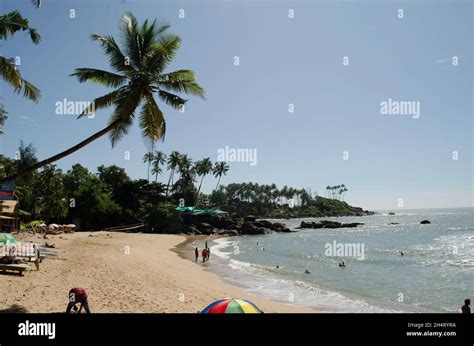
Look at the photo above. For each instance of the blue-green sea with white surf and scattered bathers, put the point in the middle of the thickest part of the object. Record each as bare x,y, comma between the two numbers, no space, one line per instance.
435,273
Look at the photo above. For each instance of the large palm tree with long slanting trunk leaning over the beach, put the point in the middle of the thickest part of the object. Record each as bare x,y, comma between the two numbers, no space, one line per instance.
139,65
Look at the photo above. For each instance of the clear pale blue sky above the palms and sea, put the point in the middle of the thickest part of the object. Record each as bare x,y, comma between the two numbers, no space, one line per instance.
336,133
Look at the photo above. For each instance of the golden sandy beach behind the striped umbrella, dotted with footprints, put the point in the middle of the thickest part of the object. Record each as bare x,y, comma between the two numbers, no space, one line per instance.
122,272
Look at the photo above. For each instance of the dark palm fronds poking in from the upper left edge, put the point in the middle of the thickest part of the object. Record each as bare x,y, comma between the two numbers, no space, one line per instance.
11,23
